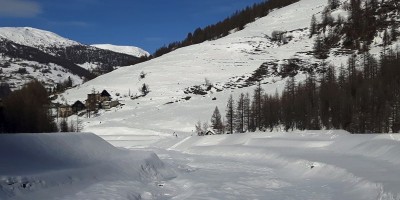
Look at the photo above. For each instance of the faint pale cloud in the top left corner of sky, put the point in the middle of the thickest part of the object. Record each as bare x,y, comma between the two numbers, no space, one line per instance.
19,8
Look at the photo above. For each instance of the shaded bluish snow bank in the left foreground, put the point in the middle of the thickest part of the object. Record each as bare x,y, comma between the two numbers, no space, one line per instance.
34,162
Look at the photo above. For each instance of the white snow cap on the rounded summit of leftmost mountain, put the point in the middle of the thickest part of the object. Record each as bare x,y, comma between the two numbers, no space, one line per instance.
35,37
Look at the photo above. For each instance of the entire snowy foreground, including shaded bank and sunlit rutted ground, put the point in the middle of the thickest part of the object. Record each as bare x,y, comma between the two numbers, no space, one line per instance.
297,165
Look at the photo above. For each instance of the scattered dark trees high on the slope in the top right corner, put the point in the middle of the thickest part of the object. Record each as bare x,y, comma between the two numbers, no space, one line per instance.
366,20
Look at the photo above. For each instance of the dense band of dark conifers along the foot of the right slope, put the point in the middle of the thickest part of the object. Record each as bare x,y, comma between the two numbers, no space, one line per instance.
362,97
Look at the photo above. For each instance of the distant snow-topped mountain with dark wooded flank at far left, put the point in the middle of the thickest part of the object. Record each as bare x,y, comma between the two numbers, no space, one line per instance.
29,53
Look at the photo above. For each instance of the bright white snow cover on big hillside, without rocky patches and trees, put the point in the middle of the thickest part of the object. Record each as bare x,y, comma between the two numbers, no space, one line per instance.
223,61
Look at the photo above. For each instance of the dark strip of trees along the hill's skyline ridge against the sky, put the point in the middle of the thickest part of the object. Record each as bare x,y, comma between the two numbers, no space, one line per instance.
221,29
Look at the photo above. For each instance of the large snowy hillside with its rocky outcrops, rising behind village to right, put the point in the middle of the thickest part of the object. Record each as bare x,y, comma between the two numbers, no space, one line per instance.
179,82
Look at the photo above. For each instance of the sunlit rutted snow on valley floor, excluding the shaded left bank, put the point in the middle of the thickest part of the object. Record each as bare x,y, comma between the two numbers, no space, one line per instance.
299,165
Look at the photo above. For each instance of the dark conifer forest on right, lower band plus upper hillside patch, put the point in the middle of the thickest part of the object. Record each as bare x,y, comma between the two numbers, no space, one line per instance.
362,97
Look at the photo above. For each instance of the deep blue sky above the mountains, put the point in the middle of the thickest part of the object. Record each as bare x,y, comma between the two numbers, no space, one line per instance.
148,24
